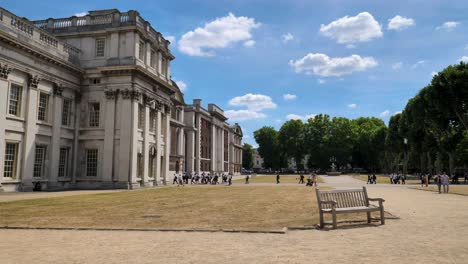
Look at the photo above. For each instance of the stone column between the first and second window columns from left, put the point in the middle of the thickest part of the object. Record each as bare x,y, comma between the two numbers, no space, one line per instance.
30,135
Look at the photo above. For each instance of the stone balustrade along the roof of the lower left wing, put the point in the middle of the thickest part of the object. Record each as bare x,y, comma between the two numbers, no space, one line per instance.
24,30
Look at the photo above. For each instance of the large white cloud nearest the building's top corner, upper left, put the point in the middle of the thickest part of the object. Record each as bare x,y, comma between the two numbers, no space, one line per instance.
217,34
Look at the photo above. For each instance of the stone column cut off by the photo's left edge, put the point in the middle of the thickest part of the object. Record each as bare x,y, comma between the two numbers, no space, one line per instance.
4,72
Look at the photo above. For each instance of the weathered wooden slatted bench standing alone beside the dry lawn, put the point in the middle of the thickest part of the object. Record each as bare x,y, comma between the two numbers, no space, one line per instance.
347,201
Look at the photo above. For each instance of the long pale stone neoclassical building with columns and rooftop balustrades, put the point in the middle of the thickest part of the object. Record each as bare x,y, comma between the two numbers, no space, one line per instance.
88,102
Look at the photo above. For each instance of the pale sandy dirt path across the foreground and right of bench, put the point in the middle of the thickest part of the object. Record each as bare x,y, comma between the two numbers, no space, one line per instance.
433,229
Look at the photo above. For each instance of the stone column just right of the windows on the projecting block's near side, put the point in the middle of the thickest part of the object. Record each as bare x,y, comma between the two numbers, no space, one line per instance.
109,136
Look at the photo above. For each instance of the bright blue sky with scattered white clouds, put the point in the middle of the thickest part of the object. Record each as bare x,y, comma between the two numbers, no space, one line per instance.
265,62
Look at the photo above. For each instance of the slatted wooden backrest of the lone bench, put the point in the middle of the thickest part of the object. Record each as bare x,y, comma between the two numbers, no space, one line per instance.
343,198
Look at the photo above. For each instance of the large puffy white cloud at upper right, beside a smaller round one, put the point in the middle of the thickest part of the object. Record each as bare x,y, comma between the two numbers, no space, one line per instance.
360,28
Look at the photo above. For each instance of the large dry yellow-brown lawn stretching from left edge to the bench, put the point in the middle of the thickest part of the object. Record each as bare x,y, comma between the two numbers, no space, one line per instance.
201,207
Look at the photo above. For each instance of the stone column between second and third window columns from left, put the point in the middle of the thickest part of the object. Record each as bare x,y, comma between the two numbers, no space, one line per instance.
56,135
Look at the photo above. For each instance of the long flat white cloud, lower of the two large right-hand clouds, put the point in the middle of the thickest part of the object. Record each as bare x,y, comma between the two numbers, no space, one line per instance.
322,65
